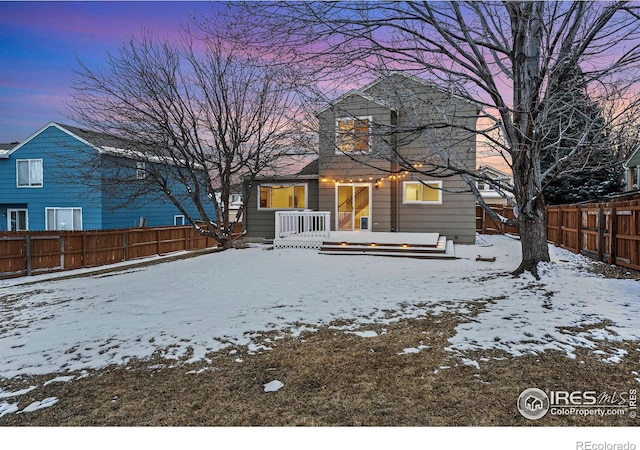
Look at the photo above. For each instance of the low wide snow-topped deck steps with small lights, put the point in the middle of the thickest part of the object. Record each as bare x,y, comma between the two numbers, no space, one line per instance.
425,246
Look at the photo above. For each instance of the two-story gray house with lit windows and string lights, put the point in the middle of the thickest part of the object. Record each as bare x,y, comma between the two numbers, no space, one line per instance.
373,145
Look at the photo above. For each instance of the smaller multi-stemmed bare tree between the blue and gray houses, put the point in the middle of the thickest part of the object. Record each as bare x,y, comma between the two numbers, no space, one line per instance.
202,115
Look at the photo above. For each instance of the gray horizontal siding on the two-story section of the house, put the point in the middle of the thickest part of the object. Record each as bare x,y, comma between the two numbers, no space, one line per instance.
406,103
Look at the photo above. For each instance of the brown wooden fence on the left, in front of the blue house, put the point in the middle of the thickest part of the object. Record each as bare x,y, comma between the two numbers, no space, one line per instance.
35,252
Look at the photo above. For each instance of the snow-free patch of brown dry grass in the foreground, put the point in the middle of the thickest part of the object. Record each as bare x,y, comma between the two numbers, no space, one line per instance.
398,374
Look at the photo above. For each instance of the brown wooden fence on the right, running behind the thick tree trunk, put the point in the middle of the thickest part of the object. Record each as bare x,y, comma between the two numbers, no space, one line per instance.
608,231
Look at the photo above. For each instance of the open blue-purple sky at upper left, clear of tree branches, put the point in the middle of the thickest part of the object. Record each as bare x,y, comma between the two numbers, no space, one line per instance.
41,41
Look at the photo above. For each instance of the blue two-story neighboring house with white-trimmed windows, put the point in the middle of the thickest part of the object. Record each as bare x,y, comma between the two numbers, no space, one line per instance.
43,186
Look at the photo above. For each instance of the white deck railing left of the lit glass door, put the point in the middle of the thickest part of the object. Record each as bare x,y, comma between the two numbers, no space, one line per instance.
303,228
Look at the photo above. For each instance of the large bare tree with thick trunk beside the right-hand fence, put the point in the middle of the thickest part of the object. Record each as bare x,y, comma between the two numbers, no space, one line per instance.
505,56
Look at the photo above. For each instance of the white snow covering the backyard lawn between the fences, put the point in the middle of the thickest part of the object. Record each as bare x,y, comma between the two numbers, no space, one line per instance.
188,308
